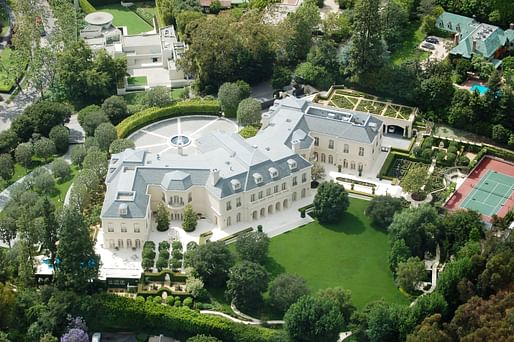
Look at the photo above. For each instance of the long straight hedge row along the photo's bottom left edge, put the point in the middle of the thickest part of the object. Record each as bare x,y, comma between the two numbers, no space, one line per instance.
115,313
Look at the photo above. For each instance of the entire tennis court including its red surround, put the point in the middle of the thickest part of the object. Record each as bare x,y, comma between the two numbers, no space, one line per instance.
489,189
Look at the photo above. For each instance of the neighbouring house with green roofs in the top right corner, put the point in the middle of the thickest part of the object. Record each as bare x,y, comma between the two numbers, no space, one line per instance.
474,38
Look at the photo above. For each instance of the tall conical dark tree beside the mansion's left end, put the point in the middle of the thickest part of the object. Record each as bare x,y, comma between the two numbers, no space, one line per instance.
78,263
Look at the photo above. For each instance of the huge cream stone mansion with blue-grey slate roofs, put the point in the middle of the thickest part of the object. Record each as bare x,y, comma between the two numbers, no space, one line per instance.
231,180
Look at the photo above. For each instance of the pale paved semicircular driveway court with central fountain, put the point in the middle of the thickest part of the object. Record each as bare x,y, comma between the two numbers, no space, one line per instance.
165,137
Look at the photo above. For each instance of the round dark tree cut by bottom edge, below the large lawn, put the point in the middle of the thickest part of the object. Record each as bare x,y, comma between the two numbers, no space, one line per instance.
313,318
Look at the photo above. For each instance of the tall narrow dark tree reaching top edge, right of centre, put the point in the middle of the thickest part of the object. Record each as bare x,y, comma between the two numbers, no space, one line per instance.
367,49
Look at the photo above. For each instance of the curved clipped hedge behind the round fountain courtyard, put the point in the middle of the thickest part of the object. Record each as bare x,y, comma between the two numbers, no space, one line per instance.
150,115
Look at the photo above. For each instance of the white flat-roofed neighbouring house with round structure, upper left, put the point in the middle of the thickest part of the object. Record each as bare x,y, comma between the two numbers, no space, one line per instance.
151,56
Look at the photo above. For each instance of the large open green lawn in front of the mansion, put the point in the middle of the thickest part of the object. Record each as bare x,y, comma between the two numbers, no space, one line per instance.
351,254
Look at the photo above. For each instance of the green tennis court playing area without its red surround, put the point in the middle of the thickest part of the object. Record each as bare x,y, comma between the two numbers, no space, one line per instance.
490,193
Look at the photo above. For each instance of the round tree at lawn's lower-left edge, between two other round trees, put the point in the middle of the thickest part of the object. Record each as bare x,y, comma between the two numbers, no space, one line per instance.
245,284
